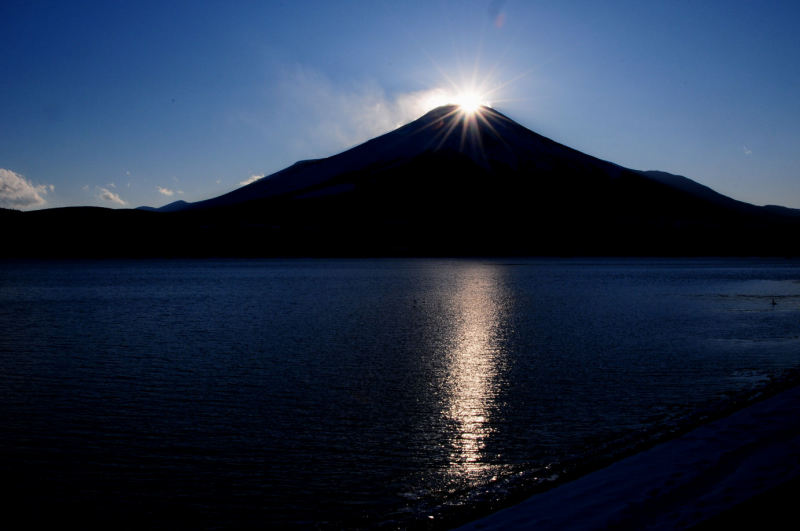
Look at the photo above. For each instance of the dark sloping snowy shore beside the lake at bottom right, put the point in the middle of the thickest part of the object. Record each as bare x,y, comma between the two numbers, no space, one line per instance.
721,470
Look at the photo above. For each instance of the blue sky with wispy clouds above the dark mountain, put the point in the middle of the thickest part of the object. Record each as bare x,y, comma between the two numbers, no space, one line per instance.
138,103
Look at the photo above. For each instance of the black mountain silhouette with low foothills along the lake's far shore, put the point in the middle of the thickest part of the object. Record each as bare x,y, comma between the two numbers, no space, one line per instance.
450,183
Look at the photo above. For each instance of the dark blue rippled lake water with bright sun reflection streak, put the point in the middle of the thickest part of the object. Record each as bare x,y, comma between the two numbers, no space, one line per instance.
358,393
